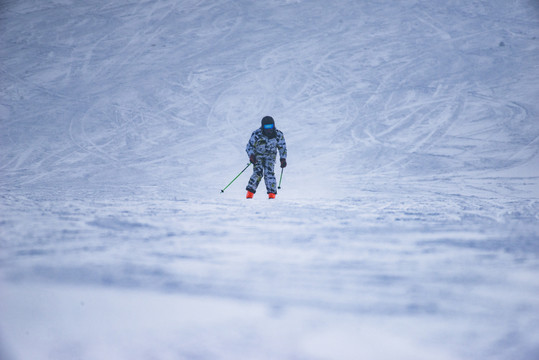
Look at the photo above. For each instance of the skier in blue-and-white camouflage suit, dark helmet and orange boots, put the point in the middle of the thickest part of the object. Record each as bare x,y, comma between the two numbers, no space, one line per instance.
262,151
